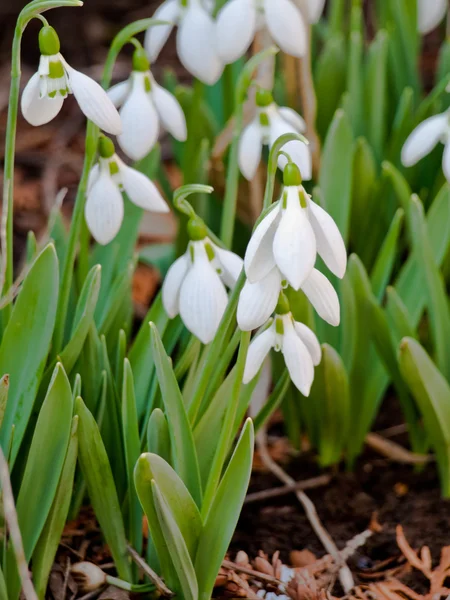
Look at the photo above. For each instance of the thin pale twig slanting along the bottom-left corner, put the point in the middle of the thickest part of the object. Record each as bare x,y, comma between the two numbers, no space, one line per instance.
10,513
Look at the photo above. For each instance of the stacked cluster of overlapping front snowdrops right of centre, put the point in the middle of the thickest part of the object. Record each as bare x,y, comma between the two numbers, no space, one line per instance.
282,252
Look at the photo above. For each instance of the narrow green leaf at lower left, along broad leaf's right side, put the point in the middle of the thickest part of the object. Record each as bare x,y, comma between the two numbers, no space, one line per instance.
47,546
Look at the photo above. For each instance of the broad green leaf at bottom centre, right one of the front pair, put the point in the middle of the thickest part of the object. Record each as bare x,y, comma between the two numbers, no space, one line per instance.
224,513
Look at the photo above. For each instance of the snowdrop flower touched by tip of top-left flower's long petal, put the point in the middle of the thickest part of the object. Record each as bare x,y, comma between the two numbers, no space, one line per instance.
144,105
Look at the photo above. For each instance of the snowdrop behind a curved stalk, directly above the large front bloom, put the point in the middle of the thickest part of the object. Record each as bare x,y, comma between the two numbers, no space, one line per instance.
270,123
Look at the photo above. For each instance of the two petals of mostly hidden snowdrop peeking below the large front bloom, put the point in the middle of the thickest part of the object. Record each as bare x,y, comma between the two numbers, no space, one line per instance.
257,301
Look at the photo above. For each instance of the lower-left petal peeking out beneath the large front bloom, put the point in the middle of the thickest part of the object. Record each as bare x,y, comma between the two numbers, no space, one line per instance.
257,301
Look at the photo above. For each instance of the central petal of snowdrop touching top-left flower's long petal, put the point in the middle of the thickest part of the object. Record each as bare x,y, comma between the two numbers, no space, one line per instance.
140,122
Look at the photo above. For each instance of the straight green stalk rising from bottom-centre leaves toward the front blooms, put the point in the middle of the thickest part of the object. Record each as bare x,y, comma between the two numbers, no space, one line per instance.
226,432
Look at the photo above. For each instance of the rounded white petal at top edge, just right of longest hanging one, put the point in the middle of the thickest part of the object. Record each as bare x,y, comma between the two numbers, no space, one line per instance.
235,29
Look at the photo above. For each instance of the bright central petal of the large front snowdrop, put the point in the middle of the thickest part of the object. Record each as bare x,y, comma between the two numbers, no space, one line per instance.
294,244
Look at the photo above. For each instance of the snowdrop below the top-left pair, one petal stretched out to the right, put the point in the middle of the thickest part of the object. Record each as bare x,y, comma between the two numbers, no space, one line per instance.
109,178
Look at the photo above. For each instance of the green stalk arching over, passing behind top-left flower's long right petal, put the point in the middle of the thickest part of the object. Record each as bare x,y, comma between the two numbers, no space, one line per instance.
92,133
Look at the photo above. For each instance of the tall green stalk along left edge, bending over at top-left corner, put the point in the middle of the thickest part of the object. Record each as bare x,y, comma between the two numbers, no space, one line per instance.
29,12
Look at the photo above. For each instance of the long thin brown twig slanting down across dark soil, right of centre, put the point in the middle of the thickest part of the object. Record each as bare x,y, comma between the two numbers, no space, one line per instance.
345,575
